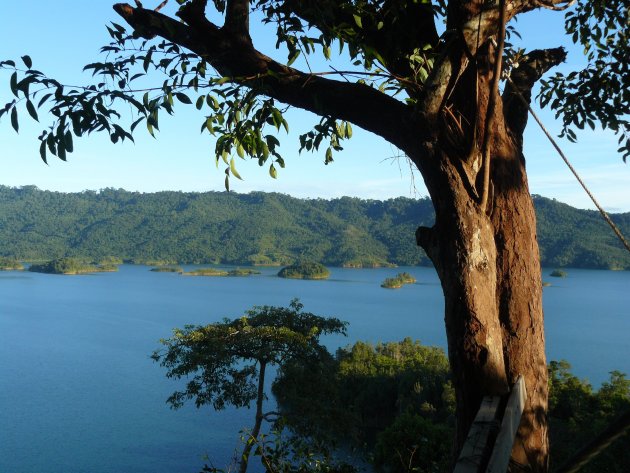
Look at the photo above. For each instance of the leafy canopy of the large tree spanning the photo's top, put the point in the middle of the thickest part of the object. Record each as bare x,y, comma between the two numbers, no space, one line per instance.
239,97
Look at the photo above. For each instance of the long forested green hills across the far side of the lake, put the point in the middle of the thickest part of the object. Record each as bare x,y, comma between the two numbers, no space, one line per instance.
264,228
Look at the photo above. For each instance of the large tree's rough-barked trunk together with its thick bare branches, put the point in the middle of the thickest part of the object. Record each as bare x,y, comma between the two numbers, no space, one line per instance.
486,256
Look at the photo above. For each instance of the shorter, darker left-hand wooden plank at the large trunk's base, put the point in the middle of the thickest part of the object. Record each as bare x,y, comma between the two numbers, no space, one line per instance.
471,456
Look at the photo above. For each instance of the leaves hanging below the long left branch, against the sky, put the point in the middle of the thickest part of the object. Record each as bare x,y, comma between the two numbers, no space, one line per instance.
235,115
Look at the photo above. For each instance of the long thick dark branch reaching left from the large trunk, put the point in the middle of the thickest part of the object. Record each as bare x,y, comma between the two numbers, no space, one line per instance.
243,64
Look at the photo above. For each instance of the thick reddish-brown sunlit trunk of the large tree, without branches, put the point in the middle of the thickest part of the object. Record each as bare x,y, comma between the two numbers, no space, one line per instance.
489,268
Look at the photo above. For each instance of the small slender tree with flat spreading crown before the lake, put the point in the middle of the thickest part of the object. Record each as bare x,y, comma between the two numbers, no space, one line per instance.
226,361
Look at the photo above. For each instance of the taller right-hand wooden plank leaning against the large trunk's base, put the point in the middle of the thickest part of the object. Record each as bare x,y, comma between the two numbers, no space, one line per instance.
500,458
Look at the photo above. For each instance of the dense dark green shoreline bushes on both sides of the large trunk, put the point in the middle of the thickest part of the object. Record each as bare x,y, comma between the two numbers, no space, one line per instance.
396,401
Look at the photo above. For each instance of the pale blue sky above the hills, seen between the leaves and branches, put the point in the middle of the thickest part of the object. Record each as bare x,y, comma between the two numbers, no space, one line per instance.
64,35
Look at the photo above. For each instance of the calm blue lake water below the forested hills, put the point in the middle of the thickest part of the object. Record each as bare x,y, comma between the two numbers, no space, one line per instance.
78,392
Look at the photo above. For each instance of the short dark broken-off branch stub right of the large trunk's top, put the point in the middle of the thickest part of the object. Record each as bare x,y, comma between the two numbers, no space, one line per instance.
525,73
